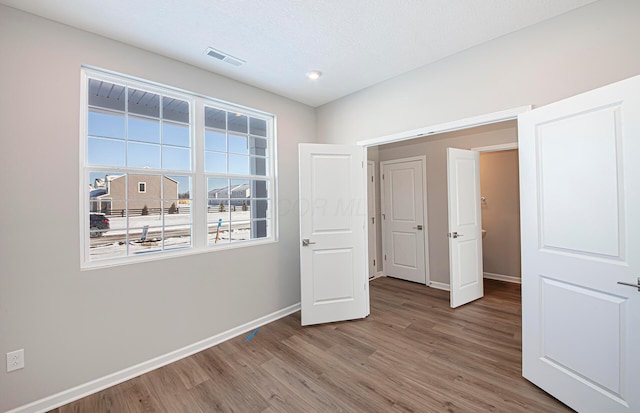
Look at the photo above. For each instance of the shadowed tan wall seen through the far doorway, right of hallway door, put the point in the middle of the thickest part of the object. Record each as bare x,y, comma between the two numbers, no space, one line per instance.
500,212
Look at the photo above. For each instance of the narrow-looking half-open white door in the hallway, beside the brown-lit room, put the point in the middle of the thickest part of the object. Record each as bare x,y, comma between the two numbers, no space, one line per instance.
465,226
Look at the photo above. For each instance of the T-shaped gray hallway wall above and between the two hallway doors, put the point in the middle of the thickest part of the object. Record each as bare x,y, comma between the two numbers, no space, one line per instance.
434,147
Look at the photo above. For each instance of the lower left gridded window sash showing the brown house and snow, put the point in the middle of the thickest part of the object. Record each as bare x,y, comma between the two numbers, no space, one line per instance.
126,221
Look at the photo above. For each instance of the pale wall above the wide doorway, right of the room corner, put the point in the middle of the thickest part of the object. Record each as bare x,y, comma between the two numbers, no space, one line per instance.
581,50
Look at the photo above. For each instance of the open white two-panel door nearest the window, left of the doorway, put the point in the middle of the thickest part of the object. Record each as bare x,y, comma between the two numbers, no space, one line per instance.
333,211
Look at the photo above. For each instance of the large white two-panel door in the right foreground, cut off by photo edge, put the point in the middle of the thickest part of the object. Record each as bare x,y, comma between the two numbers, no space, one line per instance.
580,212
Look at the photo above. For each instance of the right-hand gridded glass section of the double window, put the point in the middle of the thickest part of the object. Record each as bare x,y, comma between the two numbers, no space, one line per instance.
236,165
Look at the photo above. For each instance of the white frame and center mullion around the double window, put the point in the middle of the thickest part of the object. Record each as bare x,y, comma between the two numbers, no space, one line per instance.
199,196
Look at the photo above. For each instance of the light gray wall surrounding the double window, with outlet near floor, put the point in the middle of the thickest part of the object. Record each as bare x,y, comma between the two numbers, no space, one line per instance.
78,326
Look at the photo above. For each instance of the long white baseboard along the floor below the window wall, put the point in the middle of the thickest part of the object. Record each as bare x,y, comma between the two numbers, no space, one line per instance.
83,390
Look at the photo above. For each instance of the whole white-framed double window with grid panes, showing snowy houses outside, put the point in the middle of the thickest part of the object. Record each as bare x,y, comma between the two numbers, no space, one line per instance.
146,147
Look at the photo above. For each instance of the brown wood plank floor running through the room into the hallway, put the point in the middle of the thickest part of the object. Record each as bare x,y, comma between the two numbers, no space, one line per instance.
412,354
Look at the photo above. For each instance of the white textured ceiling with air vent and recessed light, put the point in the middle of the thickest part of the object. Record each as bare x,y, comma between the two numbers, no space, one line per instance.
355,43
